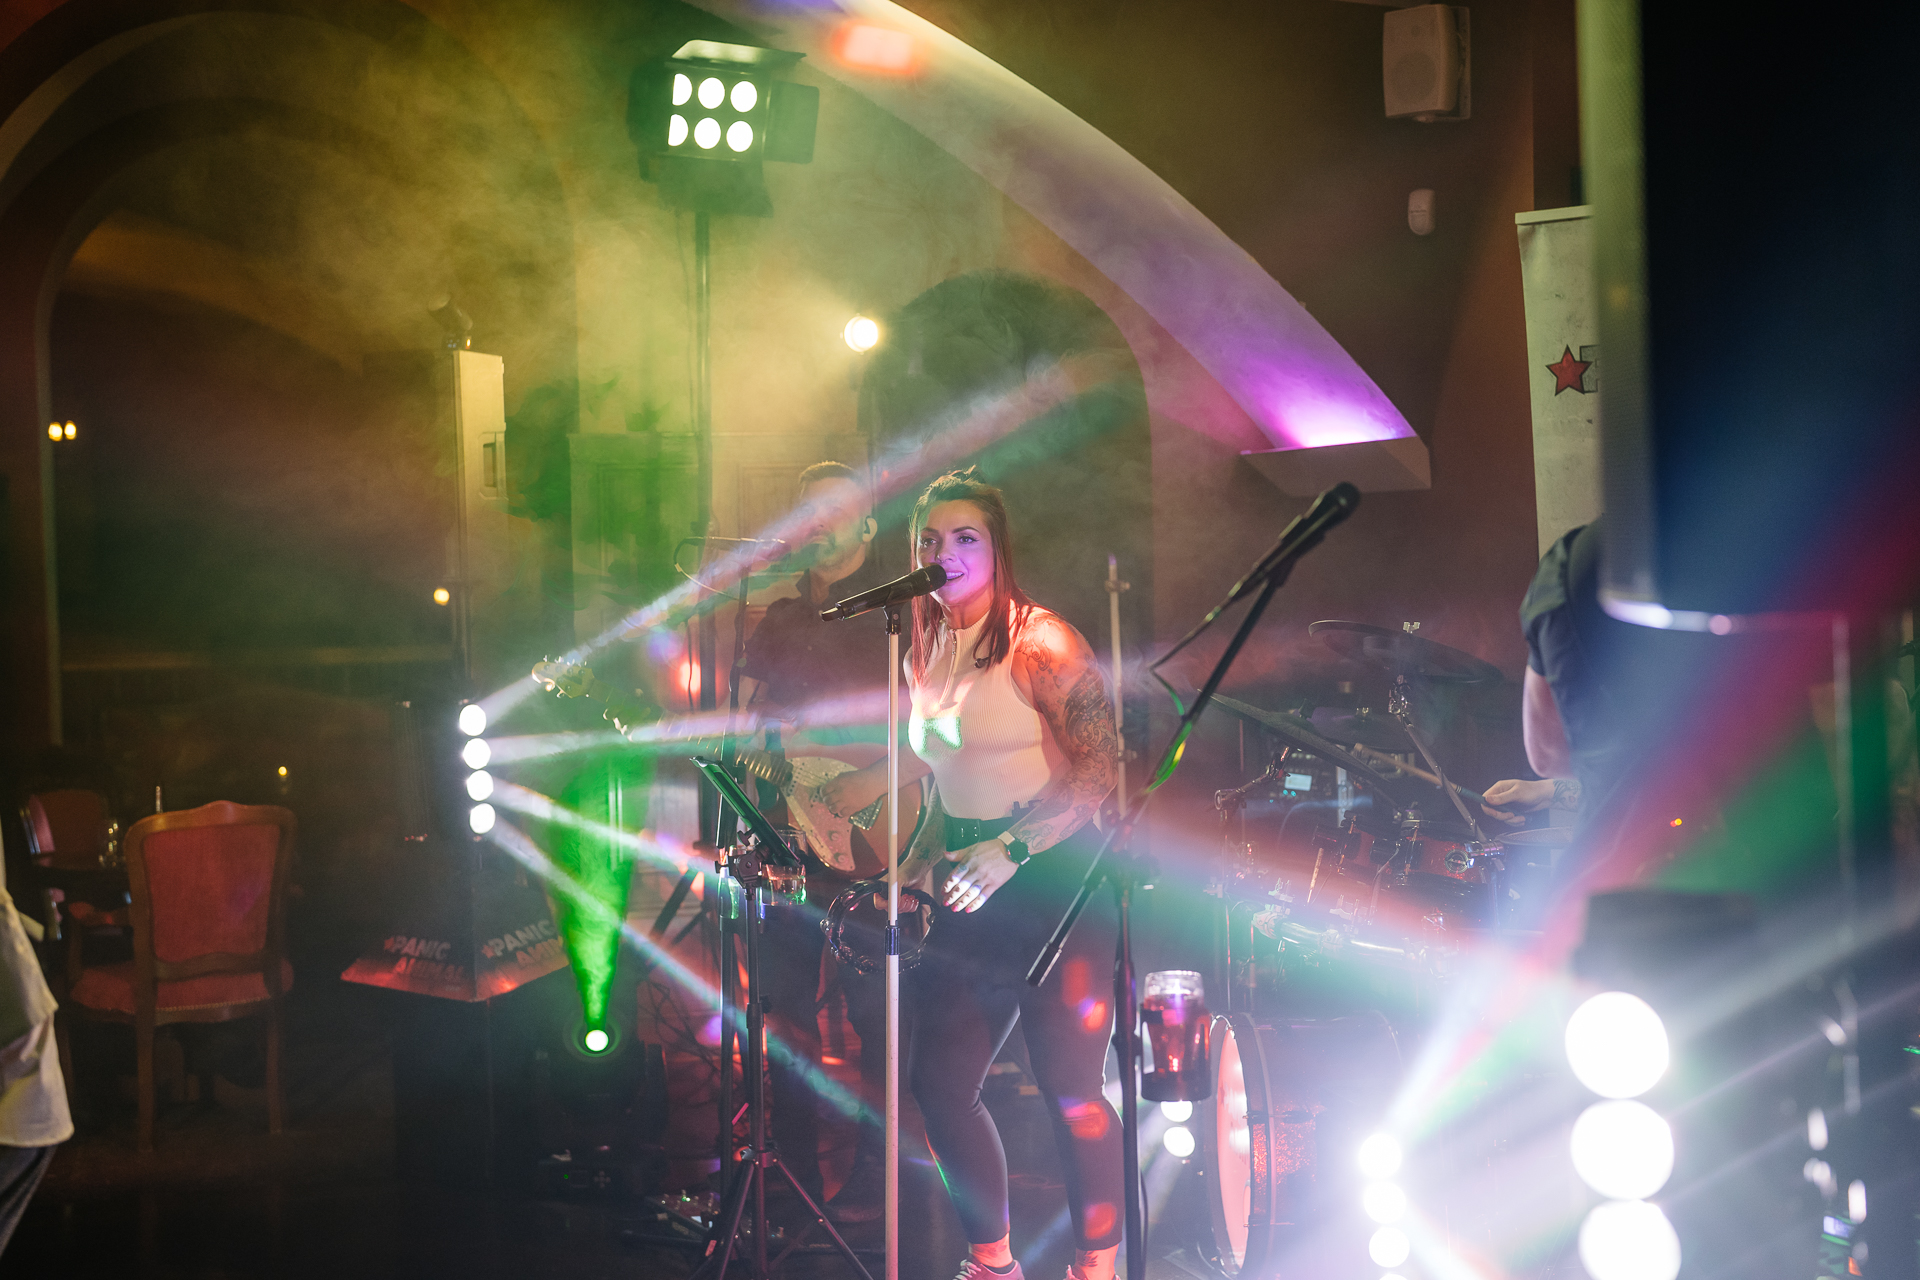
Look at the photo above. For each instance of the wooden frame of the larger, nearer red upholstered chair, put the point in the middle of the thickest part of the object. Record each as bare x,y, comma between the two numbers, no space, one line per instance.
151,970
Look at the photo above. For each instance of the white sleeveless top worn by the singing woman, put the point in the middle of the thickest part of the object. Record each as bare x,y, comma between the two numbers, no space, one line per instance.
988,747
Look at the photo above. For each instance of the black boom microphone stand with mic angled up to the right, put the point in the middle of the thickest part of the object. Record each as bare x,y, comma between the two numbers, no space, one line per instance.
1124,870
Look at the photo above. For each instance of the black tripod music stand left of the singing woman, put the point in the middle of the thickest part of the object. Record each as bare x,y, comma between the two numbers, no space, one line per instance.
750,866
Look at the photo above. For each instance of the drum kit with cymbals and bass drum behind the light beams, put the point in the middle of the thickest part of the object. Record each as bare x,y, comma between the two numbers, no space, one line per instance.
1333,943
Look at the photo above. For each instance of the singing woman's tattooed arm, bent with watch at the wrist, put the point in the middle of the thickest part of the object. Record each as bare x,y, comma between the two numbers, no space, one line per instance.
1057,671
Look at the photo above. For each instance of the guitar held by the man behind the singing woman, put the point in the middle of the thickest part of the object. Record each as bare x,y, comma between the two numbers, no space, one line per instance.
802,778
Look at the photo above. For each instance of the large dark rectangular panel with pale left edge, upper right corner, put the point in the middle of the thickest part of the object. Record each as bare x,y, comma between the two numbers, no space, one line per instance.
1754,187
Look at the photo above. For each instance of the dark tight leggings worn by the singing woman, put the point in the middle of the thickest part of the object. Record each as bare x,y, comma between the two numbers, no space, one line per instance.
969,993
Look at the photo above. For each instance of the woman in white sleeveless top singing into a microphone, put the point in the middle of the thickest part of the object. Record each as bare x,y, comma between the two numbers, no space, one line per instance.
1013,717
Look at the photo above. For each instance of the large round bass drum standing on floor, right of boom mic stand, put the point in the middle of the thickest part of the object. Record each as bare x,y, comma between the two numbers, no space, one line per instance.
1293,1101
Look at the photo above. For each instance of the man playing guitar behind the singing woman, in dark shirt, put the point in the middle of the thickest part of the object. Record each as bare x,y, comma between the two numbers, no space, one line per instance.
828,682
